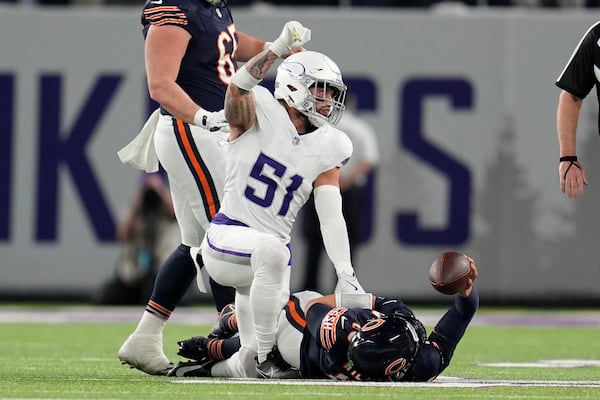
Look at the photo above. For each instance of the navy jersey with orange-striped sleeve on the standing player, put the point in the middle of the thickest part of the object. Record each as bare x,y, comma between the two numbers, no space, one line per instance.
209,63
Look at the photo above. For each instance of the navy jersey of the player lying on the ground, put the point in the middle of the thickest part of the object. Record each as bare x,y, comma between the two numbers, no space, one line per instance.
329,331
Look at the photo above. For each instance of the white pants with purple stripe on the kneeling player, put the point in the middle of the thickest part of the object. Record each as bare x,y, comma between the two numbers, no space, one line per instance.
257,265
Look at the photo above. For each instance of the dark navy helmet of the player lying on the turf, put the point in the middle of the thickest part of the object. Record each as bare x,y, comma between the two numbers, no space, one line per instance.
385,348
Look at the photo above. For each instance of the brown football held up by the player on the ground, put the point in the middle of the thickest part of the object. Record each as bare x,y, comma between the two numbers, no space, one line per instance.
449,272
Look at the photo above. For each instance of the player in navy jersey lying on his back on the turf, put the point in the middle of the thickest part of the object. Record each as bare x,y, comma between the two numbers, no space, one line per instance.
345,336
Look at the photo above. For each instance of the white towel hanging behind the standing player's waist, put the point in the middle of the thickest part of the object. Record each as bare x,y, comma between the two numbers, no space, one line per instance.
140,152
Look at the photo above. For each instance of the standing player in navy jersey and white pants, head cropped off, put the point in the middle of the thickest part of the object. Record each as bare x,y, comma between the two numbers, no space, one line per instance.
191,50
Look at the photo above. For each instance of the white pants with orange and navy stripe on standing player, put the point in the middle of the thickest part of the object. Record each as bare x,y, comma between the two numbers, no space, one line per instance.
194,159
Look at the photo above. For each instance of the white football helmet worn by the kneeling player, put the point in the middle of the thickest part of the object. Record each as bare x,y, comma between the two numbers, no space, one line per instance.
305,69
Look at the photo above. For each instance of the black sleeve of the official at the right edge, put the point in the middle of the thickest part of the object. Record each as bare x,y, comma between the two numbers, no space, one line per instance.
581,72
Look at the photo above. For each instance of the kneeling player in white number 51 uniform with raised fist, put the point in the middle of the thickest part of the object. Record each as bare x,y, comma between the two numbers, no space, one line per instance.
280,149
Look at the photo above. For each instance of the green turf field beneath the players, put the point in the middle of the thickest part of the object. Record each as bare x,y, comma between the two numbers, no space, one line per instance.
76,360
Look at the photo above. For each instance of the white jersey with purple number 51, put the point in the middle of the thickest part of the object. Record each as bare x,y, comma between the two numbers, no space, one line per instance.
271,169
